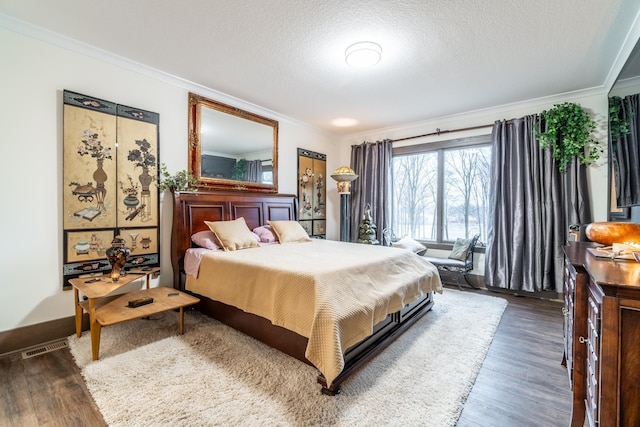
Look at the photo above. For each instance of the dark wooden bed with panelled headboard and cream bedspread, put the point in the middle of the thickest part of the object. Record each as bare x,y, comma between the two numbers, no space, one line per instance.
268,302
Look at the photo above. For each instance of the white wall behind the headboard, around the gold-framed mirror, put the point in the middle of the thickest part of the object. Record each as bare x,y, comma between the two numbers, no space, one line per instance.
32,77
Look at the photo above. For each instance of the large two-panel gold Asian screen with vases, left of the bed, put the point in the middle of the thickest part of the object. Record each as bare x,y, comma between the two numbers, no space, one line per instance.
109,184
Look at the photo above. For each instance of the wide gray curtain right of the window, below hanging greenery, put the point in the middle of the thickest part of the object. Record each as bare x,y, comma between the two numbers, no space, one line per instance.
531,208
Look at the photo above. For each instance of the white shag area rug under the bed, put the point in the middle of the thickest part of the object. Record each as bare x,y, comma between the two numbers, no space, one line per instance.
212,375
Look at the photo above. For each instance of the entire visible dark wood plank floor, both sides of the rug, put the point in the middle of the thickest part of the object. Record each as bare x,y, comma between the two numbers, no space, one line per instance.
520,384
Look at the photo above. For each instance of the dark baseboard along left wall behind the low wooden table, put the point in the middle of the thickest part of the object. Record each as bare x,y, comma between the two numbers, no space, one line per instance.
19,339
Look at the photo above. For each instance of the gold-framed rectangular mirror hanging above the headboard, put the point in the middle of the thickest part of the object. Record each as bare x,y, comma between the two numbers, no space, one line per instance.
230,148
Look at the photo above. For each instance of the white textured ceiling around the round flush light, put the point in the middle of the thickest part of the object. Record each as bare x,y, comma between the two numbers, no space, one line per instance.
440,57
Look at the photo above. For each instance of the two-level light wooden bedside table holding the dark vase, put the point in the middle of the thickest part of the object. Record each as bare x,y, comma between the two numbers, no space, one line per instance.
105,309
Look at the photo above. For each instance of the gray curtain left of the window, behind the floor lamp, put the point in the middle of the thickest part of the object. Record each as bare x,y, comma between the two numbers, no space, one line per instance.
372,162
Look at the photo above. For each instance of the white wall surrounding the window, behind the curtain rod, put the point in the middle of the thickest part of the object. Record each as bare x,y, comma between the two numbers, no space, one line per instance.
594,101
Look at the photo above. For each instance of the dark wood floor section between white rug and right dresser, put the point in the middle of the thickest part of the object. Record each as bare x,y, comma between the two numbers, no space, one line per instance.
522,381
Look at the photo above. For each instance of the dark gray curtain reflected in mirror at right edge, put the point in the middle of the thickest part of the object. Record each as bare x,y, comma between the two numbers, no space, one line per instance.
625,155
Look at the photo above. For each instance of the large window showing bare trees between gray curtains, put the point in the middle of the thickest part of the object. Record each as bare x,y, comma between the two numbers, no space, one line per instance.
441,190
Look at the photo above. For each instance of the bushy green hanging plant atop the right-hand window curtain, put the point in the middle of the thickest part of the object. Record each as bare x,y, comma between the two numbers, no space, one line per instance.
568,129
